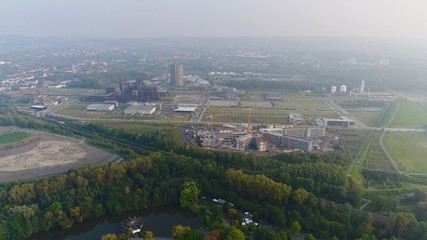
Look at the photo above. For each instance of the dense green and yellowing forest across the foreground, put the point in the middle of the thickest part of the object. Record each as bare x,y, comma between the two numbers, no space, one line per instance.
295,192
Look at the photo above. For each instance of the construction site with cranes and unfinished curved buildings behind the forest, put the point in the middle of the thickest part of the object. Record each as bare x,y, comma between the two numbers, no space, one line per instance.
260,138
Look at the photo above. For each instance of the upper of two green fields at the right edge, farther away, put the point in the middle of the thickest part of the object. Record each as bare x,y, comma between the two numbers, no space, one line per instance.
411,115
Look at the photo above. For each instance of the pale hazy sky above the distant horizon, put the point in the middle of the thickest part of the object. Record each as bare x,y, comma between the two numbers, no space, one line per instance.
205,18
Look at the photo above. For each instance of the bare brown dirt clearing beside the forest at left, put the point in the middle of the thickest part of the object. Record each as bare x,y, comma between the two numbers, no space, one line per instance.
48,155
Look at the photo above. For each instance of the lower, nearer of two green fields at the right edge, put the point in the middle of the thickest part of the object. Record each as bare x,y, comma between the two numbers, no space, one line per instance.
409,149
